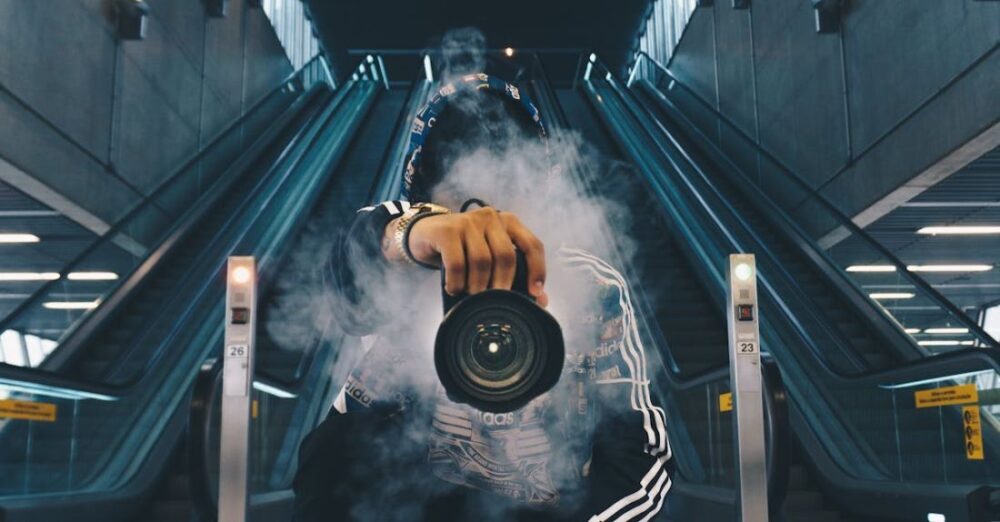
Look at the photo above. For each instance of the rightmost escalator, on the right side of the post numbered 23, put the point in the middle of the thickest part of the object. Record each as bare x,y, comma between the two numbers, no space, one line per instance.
862,449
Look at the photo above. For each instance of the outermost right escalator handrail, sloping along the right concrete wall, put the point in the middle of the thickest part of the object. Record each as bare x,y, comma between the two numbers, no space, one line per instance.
842,219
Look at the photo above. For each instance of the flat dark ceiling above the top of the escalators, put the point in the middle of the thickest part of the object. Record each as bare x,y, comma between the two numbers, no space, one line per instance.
578,25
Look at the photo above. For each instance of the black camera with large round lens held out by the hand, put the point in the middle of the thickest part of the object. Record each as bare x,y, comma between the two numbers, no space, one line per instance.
497,350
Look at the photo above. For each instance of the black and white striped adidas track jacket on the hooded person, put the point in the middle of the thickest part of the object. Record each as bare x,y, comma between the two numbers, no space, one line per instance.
600,418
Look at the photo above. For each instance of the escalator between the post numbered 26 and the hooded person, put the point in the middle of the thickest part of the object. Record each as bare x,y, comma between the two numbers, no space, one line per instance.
298,344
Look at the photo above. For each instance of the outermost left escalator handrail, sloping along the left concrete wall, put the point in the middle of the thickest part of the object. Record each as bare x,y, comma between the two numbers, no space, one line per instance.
125,220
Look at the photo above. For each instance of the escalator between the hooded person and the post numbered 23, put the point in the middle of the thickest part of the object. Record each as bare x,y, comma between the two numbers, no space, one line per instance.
681,315
